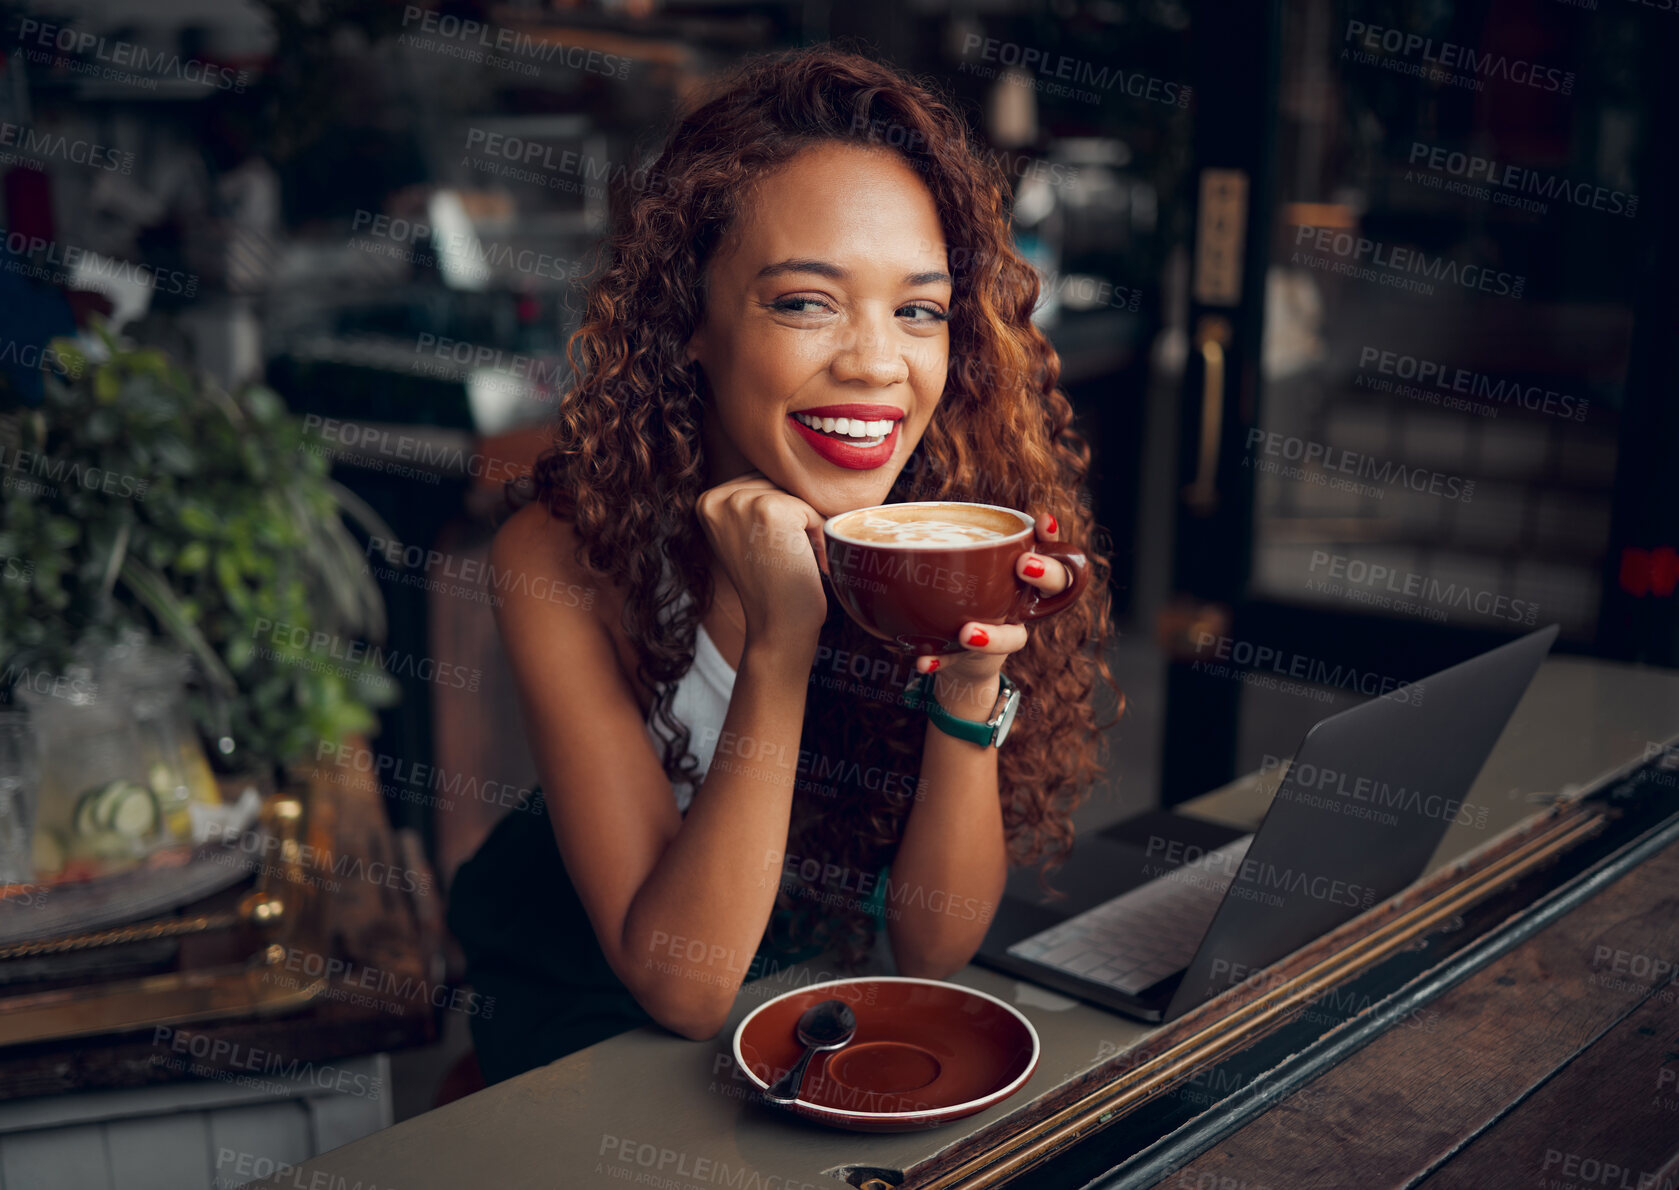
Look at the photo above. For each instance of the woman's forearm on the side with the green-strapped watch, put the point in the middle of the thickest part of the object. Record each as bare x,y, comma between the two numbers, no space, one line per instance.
951,865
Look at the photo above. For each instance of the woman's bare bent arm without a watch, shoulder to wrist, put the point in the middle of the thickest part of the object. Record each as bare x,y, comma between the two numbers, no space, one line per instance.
677,906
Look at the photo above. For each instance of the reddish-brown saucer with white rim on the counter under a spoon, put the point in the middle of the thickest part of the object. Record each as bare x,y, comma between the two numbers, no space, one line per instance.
926,1053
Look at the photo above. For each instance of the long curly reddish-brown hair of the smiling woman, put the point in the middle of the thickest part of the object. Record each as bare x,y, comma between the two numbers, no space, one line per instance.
627,467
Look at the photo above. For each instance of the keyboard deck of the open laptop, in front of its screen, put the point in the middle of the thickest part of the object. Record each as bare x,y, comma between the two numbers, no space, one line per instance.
1144,936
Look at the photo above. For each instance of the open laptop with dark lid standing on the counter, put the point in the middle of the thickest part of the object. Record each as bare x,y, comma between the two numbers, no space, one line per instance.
1356,818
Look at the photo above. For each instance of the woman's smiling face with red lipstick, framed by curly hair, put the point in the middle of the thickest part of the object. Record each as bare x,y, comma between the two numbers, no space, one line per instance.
829,300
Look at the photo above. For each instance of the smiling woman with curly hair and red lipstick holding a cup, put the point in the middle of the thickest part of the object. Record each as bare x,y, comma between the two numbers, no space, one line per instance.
782,333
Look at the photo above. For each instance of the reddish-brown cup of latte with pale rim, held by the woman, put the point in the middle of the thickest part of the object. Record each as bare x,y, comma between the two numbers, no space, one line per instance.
914,587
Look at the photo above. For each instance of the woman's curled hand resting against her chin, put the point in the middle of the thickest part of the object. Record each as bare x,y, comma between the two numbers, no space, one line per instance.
770,546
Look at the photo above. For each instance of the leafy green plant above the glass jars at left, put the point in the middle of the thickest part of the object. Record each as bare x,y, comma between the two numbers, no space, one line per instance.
140,496
